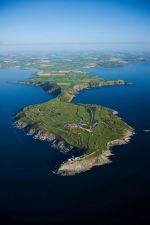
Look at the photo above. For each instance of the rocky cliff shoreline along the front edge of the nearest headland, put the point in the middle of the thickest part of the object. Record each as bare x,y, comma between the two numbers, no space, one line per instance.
81,163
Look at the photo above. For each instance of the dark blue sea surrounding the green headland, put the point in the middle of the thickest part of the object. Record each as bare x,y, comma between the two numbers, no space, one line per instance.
117,193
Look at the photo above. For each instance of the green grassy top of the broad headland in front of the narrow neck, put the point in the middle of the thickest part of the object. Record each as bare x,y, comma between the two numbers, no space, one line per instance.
53,116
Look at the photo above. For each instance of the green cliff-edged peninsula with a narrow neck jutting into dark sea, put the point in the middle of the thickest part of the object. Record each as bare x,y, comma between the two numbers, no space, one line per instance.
68,126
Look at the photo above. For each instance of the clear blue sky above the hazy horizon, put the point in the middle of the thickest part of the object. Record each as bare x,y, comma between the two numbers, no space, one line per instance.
74,21
